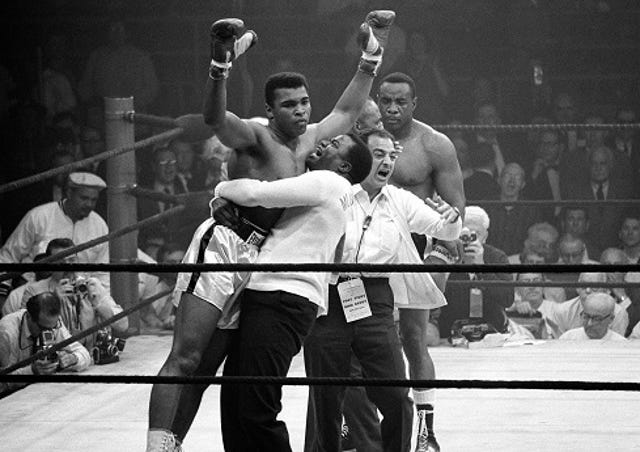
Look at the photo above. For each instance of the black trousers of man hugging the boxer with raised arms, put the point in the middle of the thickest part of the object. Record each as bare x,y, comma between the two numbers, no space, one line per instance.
273,326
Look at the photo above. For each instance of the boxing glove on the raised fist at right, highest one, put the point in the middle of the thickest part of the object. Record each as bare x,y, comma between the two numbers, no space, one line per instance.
372,38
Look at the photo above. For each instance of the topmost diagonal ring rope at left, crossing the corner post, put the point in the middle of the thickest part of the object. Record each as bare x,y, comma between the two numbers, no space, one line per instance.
164,136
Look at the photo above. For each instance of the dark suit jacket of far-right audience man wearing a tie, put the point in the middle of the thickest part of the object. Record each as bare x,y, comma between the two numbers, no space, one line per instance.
604,221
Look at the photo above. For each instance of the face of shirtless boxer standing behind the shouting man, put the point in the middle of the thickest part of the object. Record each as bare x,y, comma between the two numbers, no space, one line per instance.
396,103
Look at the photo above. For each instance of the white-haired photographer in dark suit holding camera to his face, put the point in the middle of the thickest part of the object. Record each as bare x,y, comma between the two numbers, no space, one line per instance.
486,303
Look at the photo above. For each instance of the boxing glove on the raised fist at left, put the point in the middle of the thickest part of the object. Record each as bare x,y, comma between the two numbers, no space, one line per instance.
229,40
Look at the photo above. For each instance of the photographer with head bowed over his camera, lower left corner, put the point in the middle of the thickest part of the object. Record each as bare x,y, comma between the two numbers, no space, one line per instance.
27,331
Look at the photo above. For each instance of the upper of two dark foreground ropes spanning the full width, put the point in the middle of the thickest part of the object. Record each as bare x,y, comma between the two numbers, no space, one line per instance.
326,267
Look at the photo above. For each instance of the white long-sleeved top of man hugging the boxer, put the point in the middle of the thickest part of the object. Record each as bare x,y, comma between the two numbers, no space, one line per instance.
308,232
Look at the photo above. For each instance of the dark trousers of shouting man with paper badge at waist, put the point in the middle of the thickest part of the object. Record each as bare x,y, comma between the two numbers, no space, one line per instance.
375,343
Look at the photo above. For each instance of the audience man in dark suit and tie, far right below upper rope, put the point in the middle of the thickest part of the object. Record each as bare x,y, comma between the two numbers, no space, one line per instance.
604,221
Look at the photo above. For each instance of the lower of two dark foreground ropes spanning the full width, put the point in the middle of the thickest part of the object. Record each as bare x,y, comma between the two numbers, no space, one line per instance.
561,385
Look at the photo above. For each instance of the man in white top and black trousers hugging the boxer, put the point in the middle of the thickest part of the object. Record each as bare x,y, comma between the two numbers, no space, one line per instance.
279,308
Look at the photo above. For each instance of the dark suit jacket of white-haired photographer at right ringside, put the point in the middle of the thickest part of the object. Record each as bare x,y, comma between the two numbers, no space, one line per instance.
495,299
